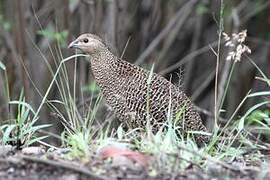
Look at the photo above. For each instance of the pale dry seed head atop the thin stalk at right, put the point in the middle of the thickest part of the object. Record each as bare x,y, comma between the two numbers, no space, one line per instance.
236,44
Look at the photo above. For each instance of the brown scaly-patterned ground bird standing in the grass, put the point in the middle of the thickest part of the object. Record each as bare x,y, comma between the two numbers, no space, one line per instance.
138,96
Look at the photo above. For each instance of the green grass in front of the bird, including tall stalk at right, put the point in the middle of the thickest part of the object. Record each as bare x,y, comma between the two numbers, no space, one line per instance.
83,135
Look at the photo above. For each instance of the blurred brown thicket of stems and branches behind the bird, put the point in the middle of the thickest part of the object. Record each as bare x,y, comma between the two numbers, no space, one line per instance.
175,35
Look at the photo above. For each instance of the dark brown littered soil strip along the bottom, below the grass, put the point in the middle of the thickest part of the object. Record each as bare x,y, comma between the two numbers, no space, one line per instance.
19,165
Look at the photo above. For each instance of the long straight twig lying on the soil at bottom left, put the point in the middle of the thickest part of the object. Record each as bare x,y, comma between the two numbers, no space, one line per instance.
72,167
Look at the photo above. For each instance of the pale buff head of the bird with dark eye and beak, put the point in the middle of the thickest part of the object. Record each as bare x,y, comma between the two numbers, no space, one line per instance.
88,43
